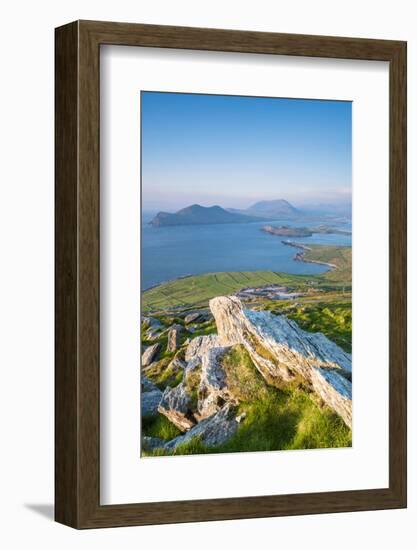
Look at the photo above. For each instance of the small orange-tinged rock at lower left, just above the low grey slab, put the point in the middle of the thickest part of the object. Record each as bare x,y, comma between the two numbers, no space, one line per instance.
176,404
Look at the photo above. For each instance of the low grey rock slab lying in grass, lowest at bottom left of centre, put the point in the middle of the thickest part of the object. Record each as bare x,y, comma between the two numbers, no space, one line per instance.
212,431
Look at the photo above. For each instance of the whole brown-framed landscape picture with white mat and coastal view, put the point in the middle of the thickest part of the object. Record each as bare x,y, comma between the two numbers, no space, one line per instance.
230,274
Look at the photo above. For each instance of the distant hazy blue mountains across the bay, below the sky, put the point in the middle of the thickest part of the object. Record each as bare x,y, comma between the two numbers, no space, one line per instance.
202,215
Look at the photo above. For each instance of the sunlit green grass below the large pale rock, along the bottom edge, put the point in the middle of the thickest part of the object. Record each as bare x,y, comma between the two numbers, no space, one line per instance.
285,419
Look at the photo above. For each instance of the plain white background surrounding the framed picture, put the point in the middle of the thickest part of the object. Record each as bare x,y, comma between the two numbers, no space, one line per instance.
26,271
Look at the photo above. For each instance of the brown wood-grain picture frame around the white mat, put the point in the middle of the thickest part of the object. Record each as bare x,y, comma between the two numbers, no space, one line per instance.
77,382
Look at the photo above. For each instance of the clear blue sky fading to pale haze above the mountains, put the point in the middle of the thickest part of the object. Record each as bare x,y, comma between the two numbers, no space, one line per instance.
234,151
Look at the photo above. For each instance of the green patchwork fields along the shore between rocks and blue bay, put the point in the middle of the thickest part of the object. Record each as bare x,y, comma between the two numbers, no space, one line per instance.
197,290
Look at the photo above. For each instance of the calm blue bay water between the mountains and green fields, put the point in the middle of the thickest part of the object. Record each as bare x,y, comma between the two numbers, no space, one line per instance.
171,252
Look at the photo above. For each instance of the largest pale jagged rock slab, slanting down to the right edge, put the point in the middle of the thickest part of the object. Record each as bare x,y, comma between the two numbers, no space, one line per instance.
282,352
